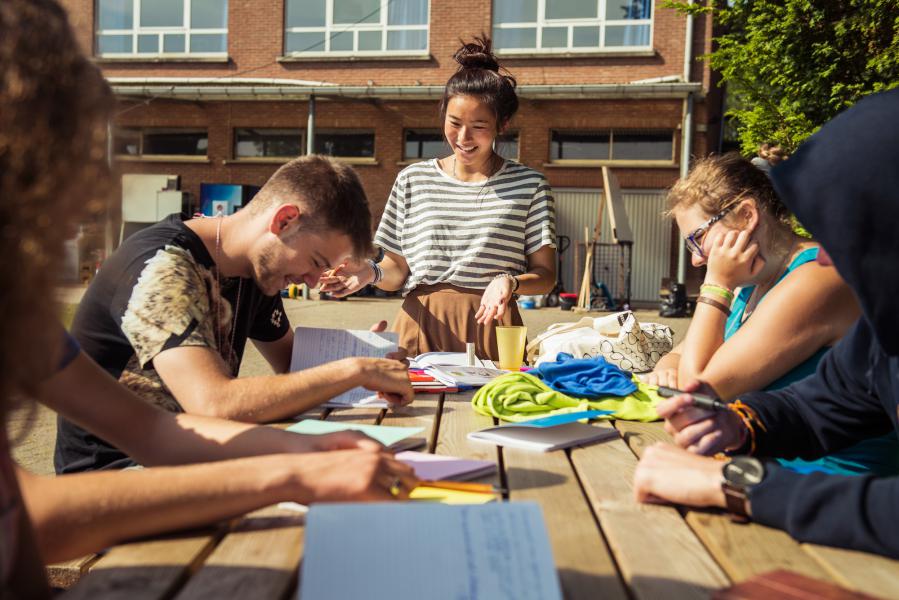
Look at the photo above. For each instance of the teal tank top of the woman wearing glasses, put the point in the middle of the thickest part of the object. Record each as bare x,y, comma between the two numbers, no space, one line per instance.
876,455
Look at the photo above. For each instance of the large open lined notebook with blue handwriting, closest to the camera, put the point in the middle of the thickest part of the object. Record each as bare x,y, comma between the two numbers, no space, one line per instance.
414,550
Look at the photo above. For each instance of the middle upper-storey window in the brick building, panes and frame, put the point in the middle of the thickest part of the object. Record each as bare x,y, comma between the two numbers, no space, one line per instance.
356,27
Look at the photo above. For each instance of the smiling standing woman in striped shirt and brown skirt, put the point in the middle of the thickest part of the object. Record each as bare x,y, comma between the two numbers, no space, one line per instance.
465,233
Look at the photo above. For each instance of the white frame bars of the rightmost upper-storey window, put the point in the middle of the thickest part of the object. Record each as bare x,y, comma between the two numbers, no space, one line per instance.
600,21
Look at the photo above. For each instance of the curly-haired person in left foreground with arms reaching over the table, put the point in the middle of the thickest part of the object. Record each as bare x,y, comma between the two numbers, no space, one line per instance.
54,111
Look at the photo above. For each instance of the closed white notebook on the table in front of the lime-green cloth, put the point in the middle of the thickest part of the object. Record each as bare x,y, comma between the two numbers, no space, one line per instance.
543,439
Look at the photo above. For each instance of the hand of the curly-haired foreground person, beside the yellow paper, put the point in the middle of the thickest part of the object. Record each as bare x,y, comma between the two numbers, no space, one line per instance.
352,476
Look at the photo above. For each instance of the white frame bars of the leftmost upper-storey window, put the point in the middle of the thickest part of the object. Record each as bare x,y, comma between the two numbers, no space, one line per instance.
135,31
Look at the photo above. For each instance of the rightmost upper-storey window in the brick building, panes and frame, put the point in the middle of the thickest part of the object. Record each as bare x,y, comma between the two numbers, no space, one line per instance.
572,25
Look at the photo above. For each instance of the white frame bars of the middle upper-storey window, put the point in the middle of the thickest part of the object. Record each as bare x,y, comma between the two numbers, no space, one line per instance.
331,29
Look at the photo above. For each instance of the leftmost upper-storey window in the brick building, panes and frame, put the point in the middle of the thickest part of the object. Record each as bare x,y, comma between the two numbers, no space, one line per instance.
153,28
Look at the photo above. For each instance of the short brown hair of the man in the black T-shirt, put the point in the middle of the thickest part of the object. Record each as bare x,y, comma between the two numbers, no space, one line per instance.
330,190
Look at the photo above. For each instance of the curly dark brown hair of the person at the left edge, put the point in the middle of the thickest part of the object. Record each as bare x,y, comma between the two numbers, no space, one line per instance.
54,110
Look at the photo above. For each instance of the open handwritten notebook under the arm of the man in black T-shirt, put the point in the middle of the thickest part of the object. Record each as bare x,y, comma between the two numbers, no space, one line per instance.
314,346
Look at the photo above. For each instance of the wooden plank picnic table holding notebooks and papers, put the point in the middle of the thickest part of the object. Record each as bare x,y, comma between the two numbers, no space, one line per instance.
605,544
